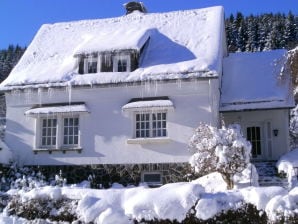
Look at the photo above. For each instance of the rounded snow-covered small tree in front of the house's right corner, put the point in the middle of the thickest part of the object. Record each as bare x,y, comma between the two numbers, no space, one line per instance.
223,150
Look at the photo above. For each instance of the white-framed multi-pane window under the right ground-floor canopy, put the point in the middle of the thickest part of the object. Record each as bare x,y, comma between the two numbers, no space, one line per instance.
151,125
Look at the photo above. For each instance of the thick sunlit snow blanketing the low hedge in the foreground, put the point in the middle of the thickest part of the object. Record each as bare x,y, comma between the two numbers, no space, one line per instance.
207,195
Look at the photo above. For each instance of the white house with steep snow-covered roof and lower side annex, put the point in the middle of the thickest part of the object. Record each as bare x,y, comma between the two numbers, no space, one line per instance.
130,91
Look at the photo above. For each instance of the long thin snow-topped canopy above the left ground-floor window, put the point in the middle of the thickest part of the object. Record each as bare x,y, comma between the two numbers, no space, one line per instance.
52,110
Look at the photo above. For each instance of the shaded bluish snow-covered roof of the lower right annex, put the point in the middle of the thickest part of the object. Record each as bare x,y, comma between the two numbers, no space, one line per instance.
258,80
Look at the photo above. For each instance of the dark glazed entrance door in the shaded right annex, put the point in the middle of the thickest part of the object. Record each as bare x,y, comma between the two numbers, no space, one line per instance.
254,136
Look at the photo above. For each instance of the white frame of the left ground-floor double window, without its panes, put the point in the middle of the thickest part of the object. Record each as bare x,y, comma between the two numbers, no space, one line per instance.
59,133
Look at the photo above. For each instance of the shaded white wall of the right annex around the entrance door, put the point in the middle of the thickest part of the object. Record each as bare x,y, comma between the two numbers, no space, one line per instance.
278,119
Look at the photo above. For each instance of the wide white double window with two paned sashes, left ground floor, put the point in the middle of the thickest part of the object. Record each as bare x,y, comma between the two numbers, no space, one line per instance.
59,132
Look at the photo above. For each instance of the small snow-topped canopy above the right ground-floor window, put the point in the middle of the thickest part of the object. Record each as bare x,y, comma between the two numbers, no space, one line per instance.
145,104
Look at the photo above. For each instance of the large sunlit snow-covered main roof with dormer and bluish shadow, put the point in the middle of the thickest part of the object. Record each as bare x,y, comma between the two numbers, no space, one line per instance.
183,44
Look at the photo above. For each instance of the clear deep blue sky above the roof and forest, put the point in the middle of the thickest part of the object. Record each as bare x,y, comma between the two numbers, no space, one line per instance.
21,19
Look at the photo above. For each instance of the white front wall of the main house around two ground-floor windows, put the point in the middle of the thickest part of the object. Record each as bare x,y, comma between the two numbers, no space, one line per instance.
105,130
